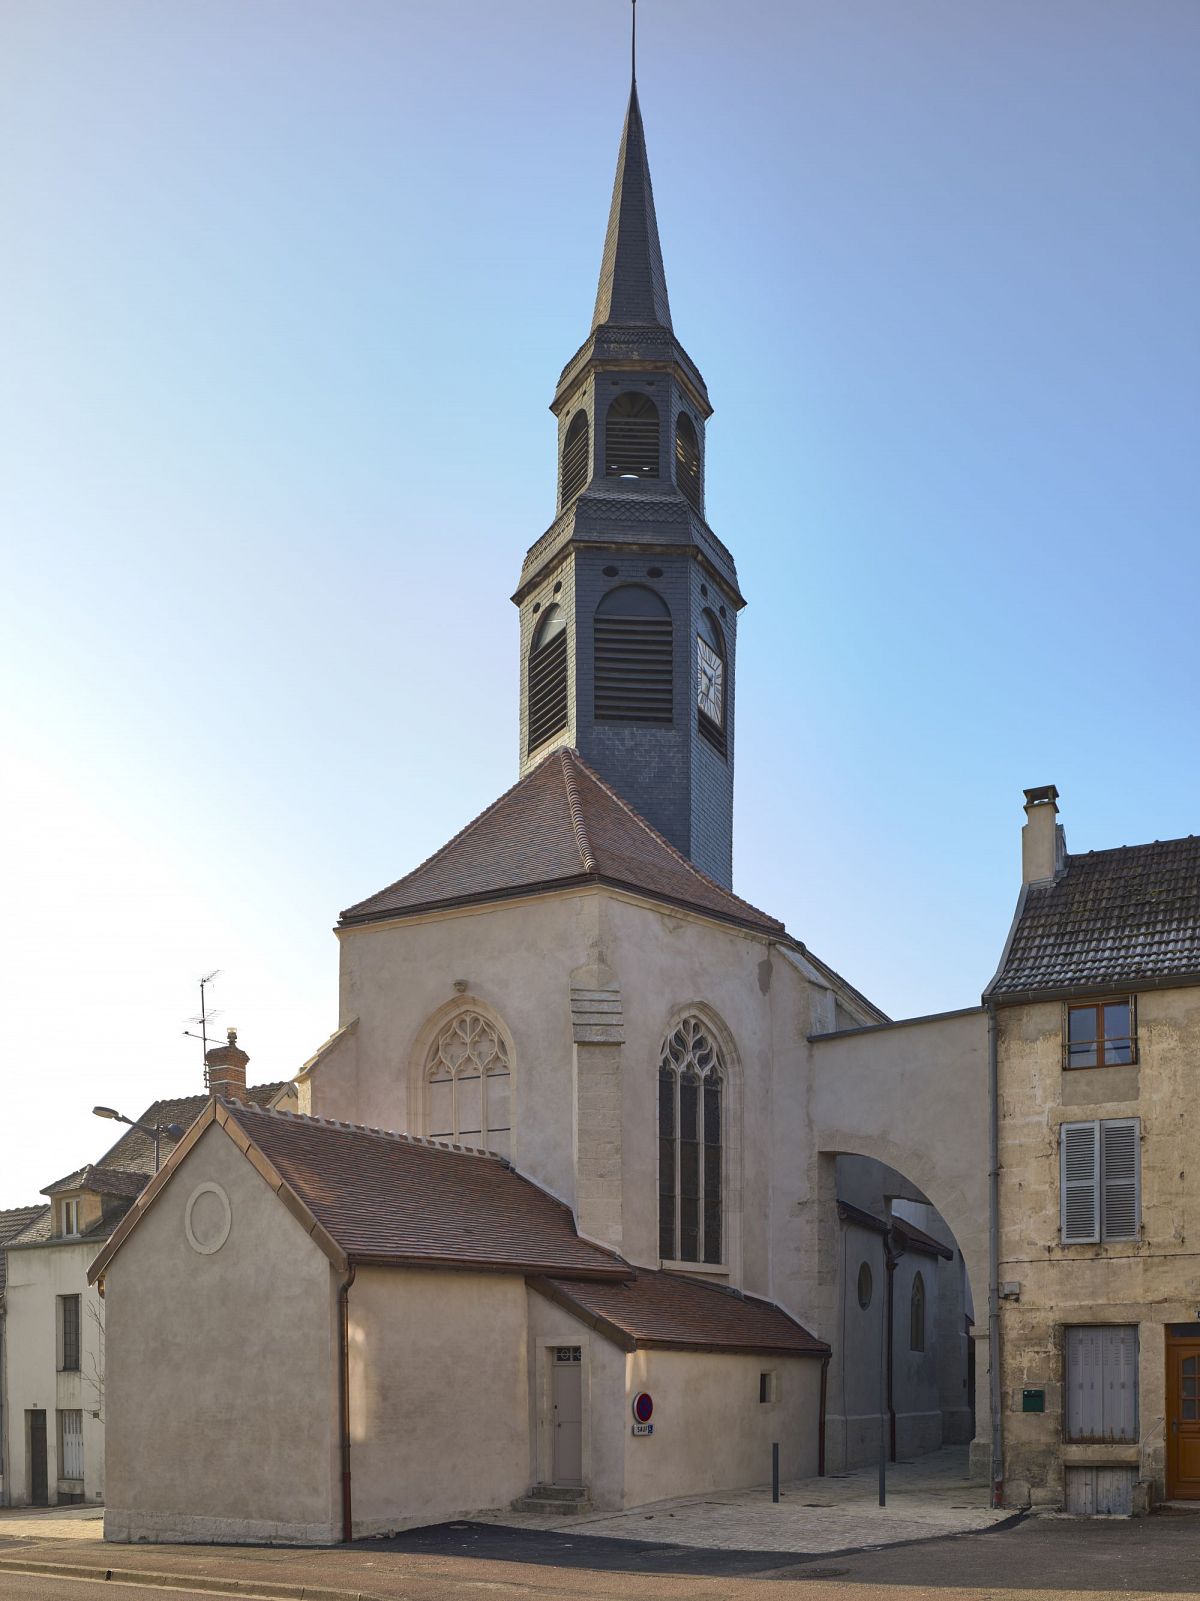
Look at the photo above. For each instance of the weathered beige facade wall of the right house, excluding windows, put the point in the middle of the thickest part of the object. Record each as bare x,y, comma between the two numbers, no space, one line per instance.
1150,1282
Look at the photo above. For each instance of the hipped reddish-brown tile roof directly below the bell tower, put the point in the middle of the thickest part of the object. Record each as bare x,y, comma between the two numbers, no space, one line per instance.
559,825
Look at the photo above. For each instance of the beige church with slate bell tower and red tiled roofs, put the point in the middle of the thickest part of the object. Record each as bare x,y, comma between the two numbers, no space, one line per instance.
553,1224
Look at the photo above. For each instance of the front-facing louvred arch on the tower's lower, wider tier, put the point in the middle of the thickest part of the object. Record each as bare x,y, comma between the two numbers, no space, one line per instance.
633,657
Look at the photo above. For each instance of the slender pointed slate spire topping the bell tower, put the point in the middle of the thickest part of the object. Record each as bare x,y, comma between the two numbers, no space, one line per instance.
633,284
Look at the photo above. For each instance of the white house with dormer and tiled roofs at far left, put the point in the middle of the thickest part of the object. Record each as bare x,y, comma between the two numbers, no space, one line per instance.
54,1341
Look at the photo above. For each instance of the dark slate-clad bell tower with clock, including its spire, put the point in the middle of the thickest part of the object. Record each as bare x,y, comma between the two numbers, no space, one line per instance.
630,601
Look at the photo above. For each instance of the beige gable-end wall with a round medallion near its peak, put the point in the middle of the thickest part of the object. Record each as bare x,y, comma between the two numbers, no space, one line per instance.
222,1376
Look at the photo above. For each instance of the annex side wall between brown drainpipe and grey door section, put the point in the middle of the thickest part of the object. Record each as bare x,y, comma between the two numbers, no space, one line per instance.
439,1395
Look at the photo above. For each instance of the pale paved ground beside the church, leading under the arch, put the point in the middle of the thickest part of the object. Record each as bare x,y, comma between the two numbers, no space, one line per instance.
929,1496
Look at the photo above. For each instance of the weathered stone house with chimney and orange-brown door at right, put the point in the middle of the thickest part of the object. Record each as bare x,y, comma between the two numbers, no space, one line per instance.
1098,1016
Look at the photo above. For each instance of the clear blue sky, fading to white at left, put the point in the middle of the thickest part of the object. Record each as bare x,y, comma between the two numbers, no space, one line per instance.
286,294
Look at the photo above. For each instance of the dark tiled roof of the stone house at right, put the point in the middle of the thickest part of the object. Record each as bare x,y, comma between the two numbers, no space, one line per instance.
1113,920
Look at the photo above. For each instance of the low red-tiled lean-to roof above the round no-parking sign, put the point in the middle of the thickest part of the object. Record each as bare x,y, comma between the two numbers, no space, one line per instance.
670,1310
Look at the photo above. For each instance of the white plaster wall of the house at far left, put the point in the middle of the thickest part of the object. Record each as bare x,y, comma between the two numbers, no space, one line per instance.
36,1278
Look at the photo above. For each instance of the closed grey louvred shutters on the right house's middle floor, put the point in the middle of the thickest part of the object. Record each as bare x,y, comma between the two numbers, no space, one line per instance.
1100,1181
